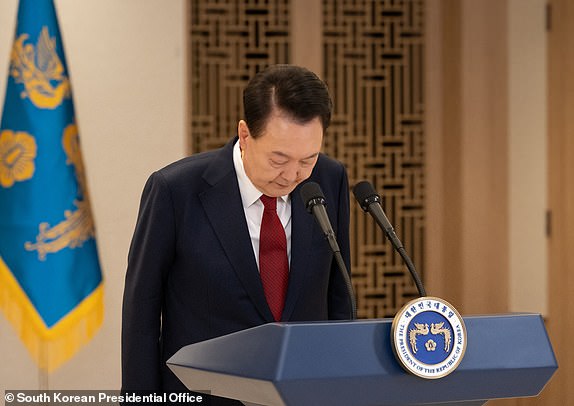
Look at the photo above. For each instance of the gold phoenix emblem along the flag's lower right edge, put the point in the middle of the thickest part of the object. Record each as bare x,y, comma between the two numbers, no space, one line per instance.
78,225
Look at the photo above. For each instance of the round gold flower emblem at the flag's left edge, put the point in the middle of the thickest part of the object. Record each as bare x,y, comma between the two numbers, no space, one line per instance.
17,154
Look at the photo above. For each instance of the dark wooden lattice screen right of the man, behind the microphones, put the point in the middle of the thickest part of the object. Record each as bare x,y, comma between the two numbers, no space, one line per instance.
373,64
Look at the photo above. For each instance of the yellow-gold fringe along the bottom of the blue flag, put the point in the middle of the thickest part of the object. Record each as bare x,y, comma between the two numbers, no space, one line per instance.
49,347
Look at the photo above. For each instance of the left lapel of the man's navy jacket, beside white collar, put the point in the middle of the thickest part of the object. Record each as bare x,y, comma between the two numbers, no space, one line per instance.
222,204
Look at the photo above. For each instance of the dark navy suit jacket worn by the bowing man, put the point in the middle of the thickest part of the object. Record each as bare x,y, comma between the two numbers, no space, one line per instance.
192,274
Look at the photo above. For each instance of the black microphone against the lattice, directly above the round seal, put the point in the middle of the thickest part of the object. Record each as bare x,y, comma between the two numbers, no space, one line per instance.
370,202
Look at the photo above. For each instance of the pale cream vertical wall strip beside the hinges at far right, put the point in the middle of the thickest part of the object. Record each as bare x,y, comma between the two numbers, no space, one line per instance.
527,160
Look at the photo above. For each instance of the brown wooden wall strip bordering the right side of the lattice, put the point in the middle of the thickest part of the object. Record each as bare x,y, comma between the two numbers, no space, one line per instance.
444,276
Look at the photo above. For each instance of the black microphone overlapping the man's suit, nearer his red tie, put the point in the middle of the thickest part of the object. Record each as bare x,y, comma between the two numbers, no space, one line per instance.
314,201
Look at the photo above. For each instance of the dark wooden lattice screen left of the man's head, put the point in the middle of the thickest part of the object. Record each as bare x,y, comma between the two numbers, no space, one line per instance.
230,42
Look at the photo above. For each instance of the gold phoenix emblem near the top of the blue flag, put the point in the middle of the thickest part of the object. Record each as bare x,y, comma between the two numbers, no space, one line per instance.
40,70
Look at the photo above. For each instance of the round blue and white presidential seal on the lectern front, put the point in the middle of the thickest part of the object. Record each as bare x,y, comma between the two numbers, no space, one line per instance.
429,337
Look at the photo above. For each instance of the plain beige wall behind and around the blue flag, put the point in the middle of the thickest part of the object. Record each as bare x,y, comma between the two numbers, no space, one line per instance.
127,65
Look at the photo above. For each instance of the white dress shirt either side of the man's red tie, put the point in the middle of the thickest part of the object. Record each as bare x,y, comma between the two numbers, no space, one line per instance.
253,207
